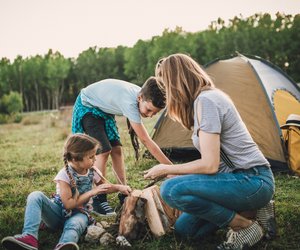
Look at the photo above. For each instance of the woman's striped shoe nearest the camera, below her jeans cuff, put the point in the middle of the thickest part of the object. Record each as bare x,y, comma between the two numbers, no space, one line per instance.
243,238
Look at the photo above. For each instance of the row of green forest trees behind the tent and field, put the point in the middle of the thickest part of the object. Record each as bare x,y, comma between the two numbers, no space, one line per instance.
46,82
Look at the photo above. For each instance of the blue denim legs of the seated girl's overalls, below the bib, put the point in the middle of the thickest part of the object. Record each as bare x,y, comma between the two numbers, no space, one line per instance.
40,207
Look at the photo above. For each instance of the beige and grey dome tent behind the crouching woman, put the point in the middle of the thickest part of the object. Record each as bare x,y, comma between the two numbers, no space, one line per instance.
264,96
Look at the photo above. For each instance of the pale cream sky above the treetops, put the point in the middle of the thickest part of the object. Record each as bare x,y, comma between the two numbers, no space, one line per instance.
31,27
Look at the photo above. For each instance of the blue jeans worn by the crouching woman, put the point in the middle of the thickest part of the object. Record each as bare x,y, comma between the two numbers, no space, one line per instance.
209,202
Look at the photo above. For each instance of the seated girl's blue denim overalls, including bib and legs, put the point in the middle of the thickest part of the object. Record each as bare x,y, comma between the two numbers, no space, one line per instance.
51,211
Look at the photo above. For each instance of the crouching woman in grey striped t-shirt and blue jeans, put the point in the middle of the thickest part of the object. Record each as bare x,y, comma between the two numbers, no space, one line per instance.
232,175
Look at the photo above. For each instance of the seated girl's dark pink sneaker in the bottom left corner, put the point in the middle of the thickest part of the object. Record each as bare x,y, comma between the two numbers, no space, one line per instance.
20,242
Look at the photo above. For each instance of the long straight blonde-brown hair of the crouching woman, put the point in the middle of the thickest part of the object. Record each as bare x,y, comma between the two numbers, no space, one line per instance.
183,79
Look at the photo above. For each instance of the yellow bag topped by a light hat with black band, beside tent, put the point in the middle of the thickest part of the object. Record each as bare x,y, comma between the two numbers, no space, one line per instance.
291,136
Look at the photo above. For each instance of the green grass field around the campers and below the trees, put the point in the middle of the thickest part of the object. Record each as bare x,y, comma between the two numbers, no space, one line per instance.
30,157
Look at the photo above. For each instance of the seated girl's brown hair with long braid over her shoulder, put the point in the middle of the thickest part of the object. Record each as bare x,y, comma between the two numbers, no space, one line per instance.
75,148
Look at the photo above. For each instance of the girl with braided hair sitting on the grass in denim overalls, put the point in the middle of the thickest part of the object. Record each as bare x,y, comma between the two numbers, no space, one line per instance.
69,209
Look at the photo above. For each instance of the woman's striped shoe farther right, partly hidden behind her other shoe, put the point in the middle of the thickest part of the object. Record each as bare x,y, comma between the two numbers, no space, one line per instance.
266,218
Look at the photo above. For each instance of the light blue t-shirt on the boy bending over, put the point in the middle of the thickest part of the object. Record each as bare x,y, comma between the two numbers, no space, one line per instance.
114,97
